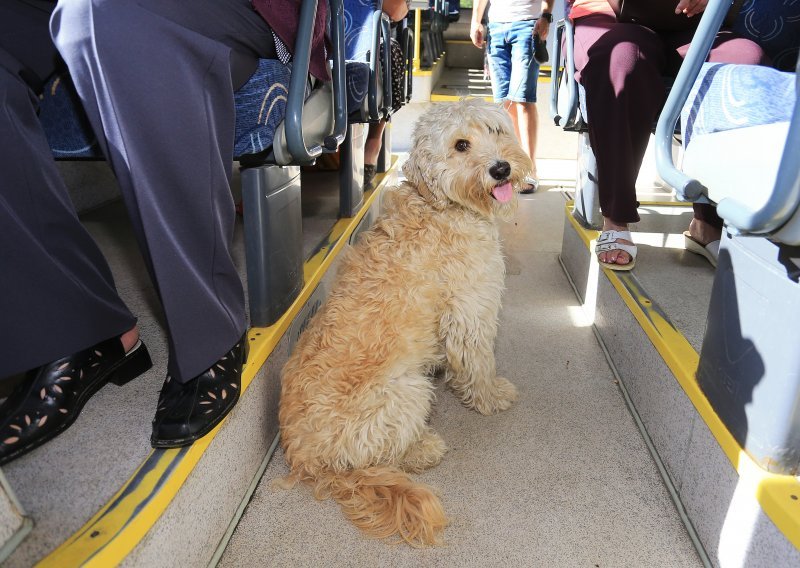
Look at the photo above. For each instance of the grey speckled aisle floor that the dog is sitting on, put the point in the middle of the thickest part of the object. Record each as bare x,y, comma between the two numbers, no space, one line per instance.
561,479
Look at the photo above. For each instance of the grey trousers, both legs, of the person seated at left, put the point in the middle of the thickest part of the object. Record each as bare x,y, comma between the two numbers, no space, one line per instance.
156,78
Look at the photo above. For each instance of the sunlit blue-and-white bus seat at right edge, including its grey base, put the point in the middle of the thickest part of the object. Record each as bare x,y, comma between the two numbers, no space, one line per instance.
749,366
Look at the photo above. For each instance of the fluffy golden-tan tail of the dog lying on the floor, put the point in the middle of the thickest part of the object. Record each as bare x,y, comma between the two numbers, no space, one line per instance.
383,502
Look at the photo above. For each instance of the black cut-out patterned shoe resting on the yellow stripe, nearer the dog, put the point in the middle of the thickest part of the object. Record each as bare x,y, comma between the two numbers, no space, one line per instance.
188,411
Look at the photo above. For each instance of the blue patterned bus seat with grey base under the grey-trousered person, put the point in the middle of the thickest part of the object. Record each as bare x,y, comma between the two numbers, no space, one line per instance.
277,117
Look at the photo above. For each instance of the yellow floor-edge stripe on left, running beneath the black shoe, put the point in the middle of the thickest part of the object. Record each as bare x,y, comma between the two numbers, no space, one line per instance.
121,524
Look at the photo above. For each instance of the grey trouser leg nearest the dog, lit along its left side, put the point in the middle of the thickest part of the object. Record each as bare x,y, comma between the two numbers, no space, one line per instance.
155,79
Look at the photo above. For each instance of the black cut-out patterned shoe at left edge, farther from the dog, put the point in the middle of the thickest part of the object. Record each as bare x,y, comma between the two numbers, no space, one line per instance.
51,397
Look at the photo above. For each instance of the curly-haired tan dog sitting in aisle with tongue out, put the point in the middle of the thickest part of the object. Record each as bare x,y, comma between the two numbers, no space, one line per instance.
420,290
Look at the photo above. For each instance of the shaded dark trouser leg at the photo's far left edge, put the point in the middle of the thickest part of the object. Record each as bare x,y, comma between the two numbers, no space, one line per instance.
57,295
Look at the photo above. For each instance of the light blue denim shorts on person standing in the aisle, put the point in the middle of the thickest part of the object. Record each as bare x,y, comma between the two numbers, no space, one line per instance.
512,66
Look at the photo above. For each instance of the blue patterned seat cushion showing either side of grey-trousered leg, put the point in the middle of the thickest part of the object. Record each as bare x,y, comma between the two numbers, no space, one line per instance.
260,108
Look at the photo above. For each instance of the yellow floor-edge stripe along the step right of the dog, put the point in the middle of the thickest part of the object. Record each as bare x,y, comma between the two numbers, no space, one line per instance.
777,494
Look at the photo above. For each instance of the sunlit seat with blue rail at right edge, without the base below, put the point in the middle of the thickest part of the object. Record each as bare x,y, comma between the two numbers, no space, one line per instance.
753,126
